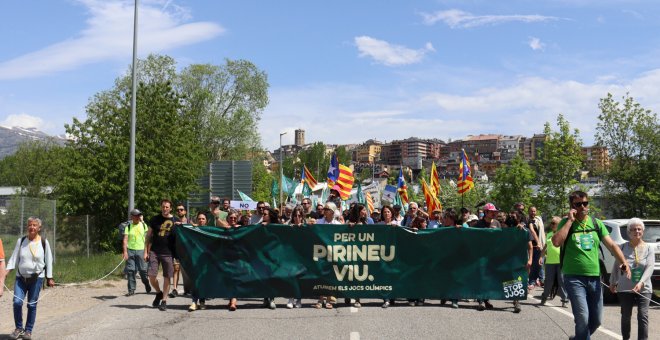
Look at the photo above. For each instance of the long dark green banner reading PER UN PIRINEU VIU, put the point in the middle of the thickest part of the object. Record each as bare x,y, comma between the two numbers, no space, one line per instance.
368,261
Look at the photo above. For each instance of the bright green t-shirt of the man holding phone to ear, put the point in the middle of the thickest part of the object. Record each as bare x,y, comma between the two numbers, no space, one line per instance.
581,249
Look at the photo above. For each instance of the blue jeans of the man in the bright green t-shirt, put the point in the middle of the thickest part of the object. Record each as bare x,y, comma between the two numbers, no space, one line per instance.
586,297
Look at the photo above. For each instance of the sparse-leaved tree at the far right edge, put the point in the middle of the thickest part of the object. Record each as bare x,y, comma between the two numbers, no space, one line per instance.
630,134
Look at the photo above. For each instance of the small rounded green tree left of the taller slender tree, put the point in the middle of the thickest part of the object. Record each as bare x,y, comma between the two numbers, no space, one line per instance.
512,183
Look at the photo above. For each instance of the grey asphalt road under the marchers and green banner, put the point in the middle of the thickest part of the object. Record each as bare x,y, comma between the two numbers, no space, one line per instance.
120,317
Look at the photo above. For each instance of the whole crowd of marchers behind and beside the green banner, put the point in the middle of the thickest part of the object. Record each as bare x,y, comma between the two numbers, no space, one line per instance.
563,259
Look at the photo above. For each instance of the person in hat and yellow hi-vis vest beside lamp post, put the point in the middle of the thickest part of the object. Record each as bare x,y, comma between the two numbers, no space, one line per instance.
133,251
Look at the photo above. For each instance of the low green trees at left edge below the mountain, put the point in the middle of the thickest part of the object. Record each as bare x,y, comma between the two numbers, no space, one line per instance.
35,165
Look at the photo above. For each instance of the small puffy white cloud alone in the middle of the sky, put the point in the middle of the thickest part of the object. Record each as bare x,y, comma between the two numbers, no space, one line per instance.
389,54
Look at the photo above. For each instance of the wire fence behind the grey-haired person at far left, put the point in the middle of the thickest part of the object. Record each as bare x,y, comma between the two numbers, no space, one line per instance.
67,235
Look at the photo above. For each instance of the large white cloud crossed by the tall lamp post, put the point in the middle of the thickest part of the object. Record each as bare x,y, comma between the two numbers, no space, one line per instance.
109,35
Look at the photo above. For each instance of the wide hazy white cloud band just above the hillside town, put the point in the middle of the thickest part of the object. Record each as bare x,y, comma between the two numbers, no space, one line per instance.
342,114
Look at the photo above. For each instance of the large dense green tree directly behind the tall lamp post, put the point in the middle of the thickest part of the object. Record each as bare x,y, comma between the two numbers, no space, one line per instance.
168,161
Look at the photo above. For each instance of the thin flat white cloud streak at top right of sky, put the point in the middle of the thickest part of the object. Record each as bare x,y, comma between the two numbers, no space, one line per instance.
456,18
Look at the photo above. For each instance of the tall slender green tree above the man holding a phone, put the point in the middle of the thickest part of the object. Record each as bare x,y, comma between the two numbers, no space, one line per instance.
557,166
